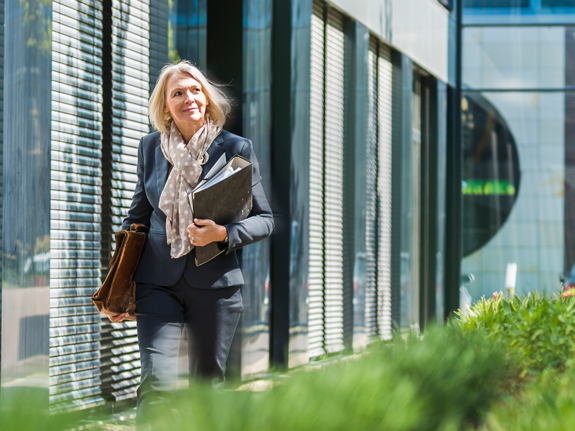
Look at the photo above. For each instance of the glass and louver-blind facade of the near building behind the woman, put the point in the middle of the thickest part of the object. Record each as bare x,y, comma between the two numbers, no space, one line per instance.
350,122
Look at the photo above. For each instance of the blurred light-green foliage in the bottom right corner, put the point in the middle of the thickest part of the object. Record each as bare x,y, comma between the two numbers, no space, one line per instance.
546,403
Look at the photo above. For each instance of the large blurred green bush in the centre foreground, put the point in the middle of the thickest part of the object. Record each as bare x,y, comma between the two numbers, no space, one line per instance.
441,382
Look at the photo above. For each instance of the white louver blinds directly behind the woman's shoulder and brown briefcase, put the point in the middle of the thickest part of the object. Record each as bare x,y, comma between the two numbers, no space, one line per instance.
129,94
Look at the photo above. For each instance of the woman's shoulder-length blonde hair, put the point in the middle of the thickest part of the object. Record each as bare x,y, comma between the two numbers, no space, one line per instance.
218,107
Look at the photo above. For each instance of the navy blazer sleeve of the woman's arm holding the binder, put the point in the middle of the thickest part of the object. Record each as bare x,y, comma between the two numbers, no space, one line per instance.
260,223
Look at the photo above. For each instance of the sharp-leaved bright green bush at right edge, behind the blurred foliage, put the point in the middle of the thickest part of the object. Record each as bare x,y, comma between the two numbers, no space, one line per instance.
539,330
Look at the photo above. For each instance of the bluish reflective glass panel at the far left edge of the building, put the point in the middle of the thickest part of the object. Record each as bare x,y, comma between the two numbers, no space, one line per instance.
26,187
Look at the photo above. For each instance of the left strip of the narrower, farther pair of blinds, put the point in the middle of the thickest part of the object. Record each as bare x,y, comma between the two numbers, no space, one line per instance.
371,194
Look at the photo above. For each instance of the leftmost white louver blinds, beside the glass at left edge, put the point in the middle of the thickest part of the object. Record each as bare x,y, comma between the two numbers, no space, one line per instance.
76,198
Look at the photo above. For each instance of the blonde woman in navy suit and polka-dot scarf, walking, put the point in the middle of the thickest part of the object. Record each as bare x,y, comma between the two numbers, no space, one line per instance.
188,113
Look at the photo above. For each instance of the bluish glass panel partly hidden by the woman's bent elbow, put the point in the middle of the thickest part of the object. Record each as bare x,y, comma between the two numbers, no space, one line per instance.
257,127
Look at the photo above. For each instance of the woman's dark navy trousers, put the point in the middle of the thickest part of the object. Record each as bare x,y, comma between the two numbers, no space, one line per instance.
210,316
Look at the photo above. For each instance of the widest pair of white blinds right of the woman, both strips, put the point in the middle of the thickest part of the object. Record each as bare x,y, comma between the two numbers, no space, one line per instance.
326,183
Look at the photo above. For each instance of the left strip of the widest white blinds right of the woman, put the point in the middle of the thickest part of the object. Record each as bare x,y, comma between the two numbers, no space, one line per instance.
316,246
